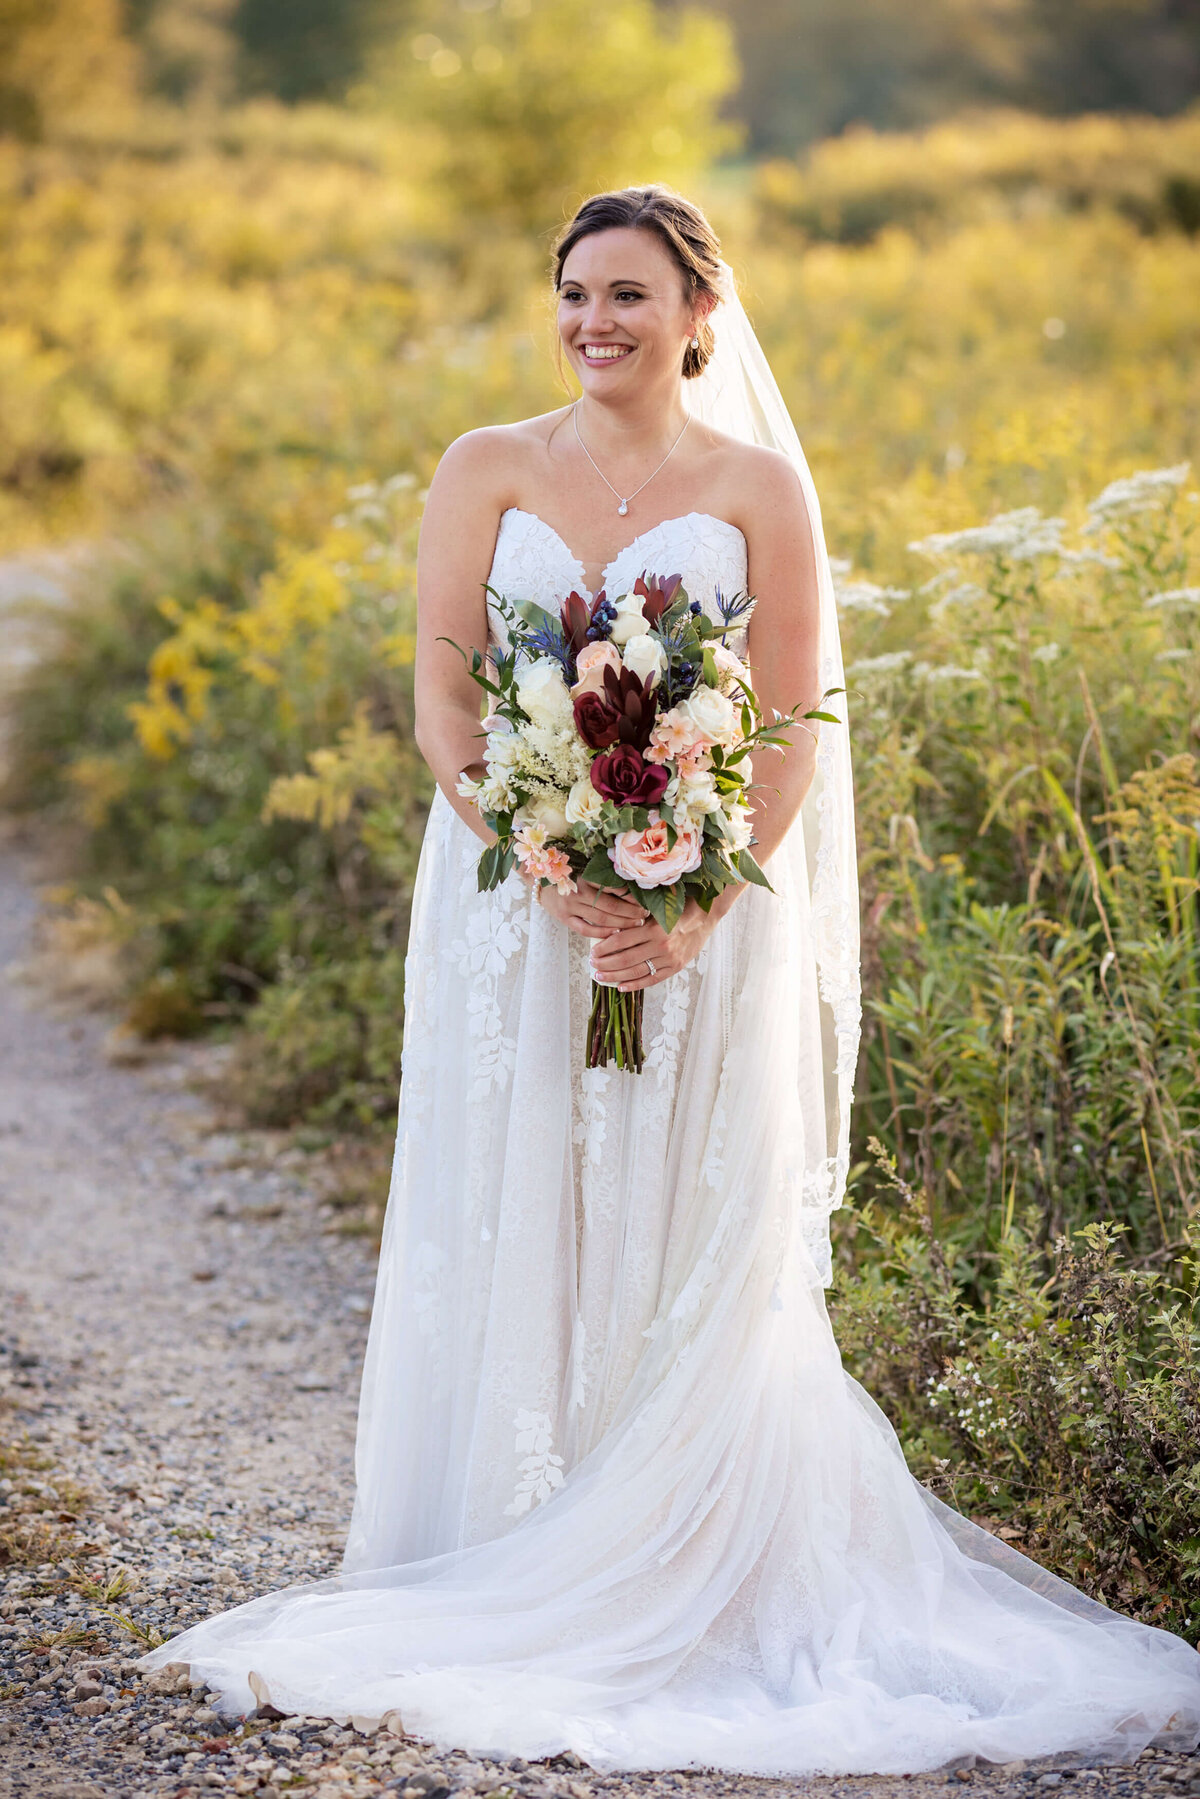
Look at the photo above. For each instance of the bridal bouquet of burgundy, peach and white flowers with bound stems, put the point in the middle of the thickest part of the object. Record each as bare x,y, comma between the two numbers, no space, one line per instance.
618,751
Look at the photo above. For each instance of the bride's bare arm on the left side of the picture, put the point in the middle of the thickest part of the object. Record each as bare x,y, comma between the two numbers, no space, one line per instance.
454,560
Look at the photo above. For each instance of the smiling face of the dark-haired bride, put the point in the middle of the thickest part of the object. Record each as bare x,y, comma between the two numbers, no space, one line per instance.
622,312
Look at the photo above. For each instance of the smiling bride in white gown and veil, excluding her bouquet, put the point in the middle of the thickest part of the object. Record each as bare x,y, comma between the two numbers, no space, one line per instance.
616,1492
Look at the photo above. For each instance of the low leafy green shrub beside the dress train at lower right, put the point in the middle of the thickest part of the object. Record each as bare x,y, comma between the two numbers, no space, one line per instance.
1062,1410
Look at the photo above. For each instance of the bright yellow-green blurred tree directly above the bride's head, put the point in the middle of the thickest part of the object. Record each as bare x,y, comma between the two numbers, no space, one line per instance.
535,103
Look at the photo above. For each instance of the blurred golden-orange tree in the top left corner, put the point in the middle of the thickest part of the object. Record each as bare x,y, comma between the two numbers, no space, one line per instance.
58,58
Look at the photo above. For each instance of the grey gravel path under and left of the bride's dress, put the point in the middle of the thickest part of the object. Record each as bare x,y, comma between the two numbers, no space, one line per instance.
181,1334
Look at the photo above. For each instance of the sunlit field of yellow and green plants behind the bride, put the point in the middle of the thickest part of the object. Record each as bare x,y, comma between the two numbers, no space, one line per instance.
231,352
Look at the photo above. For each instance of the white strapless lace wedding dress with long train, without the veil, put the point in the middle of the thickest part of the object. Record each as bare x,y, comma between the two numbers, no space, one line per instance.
616,1492
